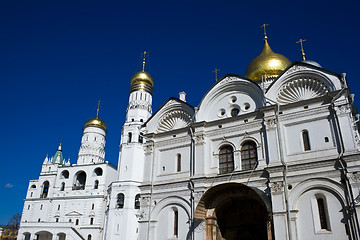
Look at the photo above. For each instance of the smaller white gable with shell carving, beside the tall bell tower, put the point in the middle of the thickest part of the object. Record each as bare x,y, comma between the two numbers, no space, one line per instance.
174,114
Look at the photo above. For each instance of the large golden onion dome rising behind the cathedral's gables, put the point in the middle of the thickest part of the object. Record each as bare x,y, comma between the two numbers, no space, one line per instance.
267,64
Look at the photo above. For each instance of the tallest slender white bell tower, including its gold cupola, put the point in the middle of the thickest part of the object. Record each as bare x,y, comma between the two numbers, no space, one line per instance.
124,206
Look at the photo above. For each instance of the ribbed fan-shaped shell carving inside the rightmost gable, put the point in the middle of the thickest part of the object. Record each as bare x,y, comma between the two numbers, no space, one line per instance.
301,89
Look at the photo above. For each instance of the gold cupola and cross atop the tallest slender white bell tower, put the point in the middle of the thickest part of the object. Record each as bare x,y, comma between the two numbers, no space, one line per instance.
142,81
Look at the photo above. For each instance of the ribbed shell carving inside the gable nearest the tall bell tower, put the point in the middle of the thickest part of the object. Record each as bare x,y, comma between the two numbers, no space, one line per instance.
174,120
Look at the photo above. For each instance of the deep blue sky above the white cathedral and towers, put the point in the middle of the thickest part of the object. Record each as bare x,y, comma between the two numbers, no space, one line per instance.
58,58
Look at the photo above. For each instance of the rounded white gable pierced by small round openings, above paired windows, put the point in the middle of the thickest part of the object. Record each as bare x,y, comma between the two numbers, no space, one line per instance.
231,96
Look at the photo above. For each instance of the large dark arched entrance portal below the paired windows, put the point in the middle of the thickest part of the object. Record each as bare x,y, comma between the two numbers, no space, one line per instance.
234,211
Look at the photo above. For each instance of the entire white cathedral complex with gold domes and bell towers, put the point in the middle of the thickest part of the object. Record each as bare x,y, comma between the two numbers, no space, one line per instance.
272,155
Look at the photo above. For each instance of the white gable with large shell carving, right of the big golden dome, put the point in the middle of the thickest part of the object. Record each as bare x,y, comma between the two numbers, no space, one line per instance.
303,81
